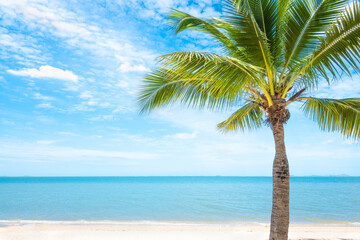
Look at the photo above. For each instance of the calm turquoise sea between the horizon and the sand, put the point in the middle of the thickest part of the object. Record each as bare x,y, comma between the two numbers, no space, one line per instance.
210,199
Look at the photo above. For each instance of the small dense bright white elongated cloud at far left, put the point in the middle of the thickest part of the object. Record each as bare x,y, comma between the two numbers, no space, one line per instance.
46,72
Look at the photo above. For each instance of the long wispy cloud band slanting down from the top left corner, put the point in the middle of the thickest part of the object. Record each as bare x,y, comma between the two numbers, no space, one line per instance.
51,17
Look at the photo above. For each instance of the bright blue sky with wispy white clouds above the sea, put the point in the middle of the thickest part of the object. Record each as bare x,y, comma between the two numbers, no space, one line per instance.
69,74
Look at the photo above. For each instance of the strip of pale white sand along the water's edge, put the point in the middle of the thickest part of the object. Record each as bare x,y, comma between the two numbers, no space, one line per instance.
165,231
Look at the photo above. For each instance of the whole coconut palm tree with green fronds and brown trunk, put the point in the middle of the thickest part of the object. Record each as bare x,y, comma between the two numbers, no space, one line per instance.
273,53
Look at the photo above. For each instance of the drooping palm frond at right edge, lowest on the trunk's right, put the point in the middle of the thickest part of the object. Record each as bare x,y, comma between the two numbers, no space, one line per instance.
336,115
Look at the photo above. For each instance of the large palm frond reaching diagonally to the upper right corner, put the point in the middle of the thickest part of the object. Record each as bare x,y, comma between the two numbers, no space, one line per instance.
338,52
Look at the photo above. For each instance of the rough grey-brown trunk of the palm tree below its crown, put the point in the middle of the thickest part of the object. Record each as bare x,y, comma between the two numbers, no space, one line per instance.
280,207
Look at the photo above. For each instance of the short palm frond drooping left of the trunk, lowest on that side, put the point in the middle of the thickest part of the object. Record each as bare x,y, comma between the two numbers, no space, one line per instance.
250,116
